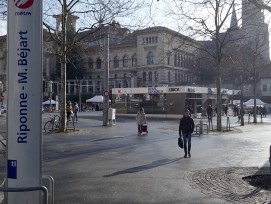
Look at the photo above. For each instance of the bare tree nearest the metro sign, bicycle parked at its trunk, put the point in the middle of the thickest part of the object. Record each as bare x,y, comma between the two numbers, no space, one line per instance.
93,15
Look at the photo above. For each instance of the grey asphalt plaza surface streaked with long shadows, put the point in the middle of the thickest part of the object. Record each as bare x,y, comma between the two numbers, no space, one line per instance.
98,164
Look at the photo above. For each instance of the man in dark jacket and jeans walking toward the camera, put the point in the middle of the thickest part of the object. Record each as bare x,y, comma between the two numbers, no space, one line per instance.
186,128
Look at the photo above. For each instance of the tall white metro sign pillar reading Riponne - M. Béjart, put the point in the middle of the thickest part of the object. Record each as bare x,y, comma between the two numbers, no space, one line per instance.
24,140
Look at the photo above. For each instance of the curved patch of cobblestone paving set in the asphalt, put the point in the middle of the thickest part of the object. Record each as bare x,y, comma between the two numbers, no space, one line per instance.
228,184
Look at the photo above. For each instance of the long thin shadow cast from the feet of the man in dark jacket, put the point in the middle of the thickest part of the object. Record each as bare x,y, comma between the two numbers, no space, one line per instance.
152,165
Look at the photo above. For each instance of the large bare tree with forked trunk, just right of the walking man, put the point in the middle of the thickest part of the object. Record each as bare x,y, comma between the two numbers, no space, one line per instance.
210,24
